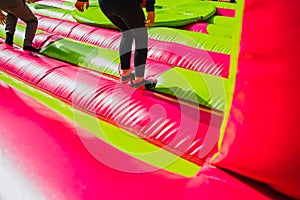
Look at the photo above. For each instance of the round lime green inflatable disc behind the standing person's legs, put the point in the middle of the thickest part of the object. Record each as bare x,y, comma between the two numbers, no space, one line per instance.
172,16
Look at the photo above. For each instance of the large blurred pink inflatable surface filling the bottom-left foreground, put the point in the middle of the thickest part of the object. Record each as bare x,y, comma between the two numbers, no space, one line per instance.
45,152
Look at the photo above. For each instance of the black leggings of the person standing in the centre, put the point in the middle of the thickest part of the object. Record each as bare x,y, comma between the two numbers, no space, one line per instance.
129,17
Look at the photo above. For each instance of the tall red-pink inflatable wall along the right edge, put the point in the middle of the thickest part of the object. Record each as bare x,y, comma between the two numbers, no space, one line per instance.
261,139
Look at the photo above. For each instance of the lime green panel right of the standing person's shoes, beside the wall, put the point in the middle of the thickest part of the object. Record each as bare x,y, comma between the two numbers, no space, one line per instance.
203,89
